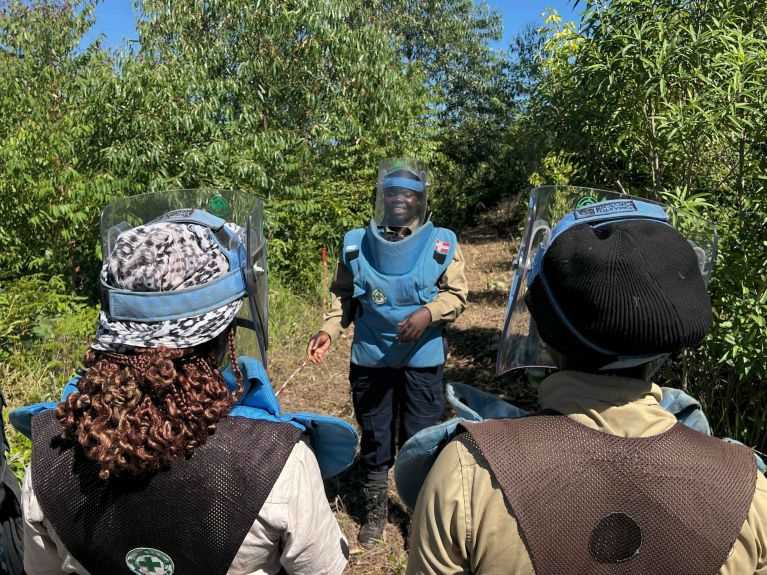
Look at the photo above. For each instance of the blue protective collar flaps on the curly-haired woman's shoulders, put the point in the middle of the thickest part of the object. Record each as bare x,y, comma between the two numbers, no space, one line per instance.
333,440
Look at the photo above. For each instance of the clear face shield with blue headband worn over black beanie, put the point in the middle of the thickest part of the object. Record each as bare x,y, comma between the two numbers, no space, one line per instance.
552,210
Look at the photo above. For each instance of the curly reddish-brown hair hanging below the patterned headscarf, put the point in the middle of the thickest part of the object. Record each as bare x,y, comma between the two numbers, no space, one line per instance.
136,412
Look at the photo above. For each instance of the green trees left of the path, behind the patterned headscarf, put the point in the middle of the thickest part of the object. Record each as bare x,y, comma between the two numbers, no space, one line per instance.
294,101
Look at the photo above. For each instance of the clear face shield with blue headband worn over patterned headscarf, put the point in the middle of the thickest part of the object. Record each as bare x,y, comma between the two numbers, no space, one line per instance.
235,220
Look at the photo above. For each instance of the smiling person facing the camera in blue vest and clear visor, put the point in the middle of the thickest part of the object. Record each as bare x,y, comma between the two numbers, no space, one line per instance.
400,280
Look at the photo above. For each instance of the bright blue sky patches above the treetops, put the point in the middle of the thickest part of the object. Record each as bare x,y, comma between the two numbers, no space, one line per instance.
116,18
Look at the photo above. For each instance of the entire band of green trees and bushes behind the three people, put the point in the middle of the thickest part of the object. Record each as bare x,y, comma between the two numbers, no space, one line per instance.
297,101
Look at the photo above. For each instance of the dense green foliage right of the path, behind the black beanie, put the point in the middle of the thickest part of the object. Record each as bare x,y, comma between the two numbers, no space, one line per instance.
666,99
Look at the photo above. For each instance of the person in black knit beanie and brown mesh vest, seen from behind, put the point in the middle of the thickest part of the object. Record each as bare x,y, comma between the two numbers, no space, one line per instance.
602,479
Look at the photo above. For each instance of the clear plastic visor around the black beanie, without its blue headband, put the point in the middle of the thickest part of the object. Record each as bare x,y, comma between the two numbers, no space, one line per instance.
521,346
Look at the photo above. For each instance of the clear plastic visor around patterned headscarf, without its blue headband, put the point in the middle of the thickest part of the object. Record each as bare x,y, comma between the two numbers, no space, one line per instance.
233,206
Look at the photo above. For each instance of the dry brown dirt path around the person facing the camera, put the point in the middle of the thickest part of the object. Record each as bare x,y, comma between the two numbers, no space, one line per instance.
473,342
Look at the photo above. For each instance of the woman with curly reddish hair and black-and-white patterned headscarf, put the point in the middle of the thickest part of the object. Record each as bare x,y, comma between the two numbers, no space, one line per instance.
141,470
